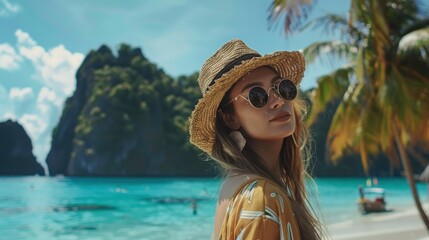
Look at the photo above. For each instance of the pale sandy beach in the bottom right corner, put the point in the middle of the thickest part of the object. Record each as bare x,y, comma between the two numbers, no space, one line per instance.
399,224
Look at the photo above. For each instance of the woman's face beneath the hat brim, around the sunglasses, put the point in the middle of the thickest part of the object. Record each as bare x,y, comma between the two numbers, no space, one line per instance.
274,121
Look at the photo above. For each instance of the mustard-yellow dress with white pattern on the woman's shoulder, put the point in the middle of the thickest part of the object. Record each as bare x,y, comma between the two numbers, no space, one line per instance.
259,209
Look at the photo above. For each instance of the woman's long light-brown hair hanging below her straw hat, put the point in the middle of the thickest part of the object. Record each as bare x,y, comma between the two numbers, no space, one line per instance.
295,156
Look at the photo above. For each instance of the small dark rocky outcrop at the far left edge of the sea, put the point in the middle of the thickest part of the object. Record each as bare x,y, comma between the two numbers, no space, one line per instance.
16,156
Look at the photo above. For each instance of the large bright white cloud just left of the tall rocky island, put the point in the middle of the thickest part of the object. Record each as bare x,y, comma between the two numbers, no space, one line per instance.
55,67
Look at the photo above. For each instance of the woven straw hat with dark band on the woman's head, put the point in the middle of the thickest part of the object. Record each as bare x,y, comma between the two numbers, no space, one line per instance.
219,73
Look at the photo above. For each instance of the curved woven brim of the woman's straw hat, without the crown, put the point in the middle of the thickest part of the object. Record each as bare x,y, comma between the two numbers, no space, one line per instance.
289,65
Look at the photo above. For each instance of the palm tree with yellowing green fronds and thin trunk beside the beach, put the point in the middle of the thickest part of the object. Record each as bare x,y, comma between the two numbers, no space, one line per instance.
384,89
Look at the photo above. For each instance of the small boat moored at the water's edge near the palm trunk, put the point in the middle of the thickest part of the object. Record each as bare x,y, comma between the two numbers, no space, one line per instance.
368,204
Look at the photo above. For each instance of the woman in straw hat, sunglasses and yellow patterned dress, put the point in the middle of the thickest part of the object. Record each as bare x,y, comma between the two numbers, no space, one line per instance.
250,121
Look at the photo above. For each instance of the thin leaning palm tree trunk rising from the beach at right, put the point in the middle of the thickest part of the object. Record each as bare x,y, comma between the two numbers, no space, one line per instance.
410,176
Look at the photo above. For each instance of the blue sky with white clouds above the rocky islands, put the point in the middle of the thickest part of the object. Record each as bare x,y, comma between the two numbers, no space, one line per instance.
42,43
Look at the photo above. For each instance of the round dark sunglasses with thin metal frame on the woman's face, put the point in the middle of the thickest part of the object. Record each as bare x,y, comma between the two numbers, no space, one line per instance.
258,97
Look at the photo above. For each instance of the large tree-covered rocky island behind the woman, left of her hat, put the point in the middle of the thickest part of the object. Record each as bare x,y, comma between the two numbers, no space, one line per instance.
126,118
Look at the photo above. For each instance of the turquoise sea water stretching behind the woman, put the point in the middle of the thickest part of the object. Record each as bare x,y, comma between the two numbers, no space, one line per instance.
148,208
